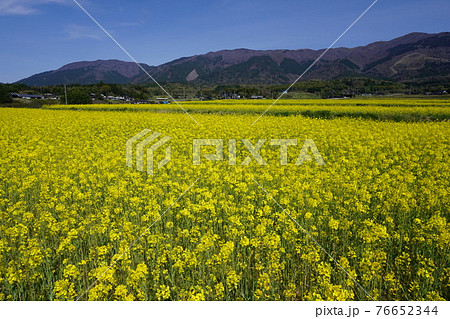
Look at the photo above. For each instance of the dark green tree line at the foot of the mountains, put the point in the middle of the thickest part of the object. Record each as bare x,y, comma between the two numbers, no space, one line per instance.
102,92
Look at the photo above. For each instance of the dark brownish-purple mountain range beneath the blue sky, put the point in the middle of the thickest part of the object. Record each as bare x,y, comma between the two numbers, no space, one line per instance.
413,57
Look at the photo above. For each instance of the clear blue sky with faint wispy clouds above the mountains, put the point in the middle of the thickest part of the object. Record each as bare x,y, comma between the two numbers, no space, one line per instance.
41,35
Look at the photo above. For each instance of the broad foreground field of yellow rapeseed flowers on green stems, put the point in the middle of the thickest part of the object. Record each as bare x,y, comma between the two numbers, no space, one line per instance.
70,207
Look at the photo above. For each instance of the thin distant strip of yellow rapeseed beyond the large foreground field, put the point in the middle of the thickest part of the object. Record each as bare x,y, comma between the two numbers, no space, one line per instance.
378,109
